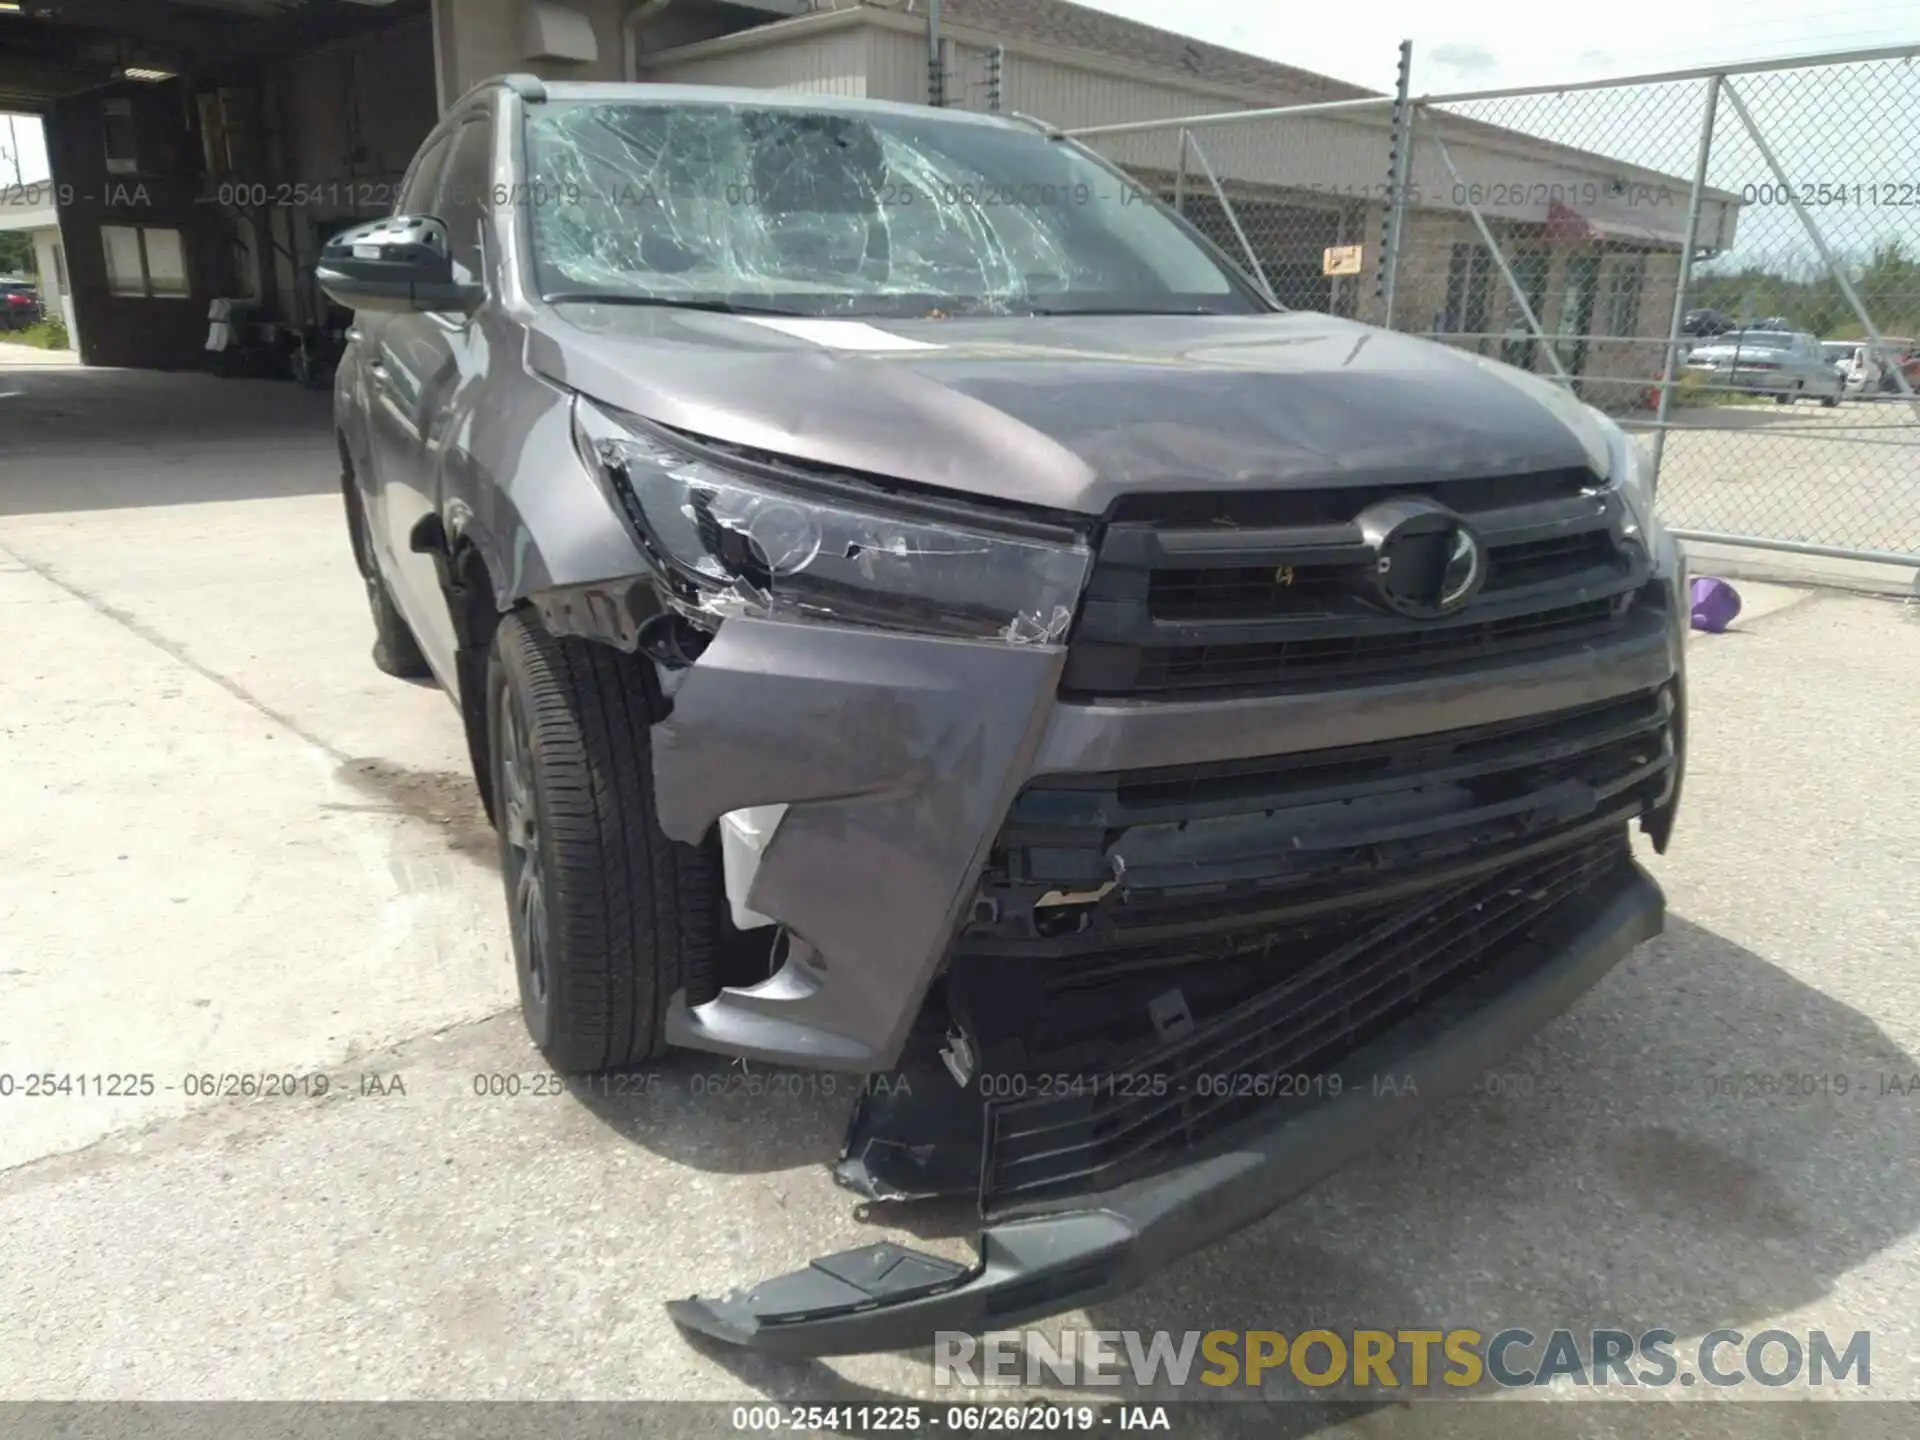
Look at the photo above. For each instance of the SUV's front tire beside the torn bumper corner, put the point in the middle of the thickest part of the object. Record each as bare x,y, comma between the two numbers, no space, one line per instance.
610,917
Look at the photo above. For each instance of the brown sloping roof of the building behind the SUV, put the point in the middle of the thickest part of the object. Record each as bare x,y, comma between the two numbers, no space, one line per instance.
1080,28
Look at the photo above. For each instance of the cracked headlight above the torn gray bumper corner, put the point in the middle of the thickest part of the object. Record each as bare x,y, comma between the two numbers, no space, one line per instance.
740,542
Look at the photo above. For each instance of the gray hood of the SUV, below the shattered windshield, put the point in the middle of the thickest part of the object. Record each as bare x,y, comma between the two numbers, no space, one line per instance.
1074,412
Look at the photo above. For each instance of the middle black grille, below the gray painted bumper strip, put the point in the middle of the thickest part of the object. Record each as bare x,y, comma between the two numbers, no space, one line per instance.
1186,850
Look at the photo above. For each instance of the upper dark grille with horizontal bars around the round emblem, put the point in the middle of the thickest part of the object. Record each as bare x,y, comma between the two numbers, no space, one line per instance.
1257,594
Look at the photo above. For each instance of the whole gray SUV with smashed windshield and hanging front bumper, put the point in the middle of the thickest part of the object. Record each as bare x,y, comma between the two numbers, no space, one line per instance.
921,612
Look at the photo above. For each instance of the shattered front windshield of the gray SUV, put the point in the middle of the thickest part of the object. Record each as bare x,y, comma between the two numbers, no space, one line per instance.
838,214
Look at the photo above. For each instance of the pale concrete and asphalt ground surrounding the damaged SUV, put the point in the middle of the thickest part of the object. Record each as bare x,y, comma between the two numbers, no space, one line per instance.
233,848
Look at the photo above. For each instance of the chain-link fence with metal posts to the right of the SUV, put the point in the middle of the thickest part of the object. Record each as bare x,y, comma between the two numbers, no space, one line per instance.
1725,260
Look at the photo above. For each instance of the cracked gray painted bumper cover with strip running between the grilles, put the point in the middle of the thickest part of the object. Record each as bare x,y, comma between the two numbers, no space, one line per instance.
898,759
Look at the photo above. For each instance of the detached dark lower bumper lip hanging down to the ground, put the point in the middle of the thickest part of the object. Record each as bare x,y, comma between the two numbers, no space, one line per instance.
892,1299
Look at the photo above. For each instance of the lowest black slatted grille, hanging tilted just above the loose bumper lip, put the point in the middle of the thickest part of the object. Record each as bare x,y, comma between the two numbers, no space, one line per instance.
1282,1045
